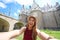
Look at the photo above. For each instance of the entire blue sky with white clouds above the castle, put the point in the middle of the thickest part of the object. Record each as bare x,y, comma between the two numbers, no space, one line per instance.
14,6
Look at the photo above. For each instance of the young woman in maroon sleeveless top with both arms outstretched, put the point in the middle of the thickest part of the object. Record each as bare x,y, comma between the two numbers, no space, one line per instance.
30,32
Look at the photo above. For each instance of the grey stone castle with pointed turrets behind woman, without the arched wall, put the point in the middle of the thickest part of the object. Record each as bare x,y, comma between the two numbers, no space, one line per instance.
45,19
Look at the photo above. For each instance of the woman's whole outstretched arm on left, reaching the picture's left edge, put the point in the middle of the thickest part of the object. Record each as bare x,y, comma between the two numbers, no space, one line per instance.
11,34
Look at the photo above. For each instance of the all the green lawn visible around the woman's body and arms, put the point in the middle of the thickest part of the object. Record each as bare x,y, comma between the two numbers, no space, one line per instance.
55,34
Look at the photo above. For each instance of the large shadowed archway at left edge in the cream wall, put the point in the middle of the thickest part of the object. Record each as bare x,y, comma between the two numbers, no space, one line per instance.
4,25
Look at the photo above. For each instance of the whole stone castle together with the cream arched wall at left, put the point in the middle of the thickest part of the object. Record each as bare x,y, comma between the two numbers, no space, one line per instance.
48,19
